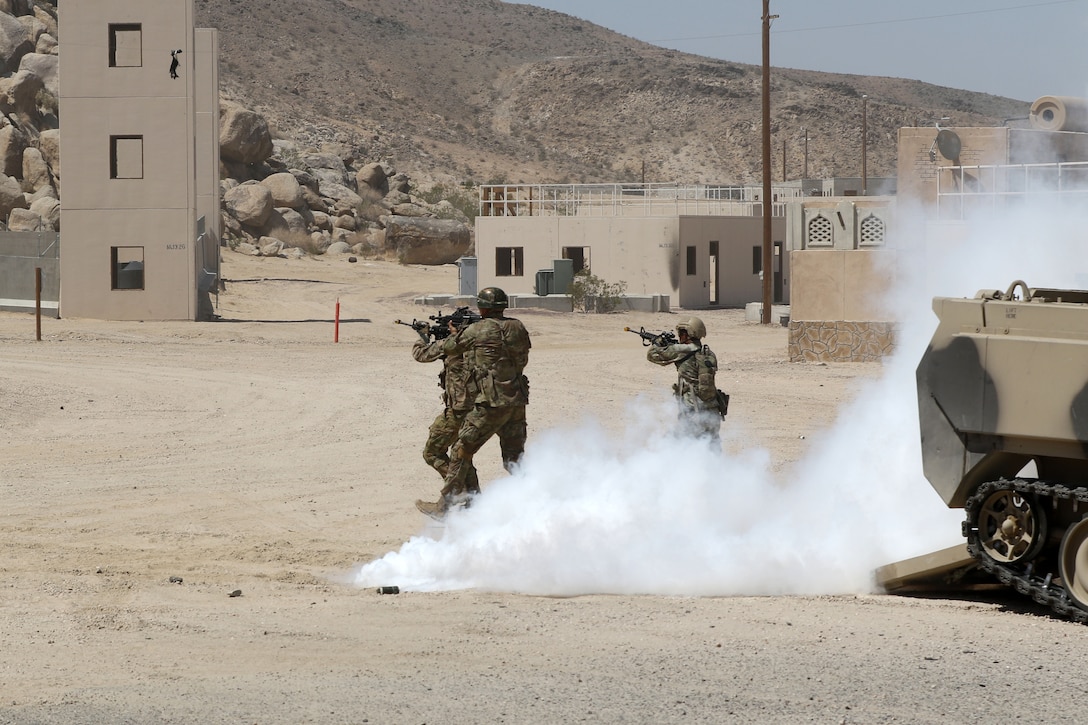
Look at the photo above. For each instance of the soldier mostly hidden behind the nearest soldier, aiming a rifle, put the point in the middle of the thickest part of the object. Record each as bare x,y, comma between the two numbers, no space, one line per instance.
459,395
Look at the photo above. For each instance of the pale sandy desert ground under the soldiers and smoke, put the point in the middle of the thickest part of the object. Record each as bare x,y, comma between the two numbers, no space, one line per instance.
255,454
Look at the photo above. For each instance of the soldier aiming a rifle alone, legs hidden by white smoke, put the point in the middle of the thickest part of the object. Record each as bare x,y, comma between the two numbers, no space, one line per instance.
701,407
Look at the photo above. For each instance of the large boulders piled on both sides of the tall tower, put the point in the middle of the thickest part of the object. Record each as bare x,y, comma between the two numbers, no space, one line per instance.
277,199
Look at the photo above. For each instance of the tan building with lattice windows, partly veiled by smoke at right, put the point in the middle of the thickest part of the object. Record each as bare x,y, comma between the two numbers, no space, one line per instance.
842,262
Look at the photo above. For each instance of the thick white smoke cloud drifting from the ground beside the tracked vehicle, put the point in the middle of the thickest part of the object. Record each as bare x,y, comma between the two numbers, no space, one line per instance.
641,512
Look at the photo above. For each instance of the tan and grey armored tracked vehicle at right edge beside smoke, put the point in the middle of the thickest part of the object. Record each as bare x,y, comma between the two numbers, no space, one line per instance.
1004,414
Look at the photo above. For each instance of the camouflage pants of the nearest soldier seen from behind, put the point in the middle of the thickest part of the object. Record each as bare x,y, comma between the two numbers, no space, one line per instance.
479,426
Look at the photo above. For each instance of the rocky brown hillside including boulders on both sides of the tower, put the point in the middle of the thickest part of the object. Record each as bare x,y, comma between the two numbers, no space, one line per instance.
382,109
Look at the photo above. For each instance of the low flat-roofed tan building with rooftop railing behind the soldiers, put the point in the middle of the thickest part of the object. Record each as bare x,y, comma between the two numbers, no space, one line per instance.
699,247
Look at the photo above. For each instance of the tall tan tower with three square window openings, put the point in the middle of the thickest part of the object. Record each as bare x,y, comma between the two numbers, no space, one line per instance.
140,97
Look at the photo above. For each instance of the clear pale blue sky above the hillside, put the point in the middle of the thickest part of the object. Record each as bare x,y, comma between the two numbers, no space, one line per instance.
1022,50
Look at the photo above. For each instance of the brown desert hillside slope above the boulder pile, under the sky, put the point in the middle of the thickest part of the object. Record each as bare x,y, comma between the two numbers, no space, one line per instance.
454,91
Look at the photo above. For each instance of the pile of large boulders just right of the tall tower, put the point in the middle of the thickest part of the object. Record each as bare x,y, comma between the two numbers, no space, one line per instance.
281,201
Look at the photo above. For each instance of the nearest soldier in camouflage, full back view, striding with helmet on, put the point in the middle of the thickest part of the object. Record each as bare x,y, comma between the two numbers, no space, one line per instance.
498,351
